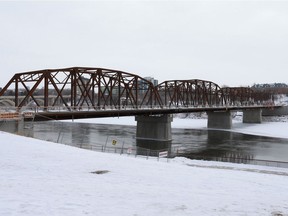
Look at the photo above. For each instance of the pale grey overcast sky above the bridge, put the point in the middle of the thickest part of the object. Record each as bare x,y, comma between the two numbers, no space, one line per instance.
234,43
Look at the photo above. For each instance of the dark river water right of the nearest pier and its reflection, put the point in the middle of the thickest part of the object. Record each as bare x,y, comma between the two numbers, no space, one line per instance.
229,146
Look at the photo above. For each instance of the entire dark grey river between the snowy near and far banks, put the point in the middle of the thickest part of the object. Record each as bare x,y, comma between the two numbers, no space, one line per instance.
190,143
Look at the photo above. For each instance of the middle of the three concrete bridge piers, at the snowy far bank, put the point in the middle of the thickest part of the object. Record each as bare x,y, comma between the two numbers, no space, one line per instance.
219,119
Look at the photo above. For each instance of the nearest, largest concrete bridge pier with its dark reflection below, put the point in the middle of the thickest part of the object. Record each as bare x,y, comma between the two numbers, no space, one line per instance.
153,133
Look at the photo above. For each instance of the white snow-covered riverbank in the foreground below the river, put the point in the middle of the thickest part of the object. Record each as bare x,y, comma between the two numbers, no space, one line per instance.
43,178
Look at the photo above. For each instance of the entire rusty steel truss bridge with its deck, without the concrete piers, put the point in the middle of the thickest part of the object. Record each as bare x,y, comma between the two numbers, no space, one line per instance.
84,92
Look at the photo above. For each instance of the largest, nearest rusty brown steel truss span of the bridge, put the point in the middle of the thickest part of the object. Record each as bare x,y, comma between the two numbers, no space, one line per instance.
79,87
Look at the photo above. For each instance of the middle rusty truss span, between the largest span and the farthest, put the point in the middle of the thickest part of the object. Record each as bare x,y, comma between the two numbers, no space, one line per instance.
188,93
